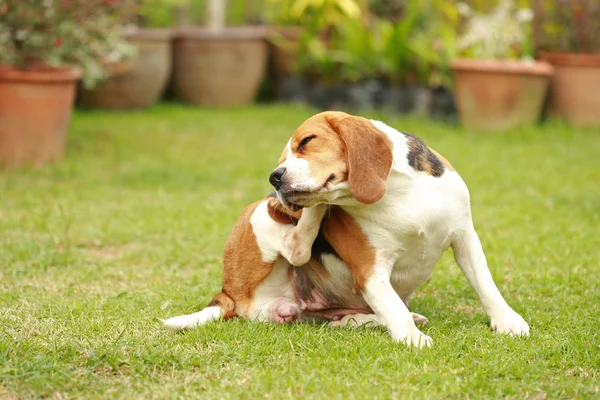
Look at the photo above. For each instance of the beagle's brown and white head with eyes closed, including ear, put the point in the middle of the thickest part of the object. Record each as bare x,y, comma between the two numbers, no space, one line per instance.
330,156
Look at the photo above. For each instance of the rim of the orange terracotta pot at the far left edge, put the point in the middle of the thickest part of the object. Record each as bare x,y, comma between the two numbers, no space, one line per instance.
40,73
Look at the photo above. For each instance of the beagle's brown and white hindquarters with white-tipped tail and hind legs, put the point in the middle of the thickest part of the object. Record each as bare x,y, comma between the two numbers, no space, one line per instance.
259,278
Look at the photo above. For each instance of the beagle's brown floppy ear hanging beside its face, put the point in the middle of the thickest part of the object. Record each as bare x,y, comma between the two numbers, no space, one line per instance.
369,153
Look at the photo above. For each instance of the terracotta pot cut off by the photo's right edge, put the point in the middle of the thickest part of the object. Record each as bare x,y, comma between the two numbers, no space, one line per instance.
575,87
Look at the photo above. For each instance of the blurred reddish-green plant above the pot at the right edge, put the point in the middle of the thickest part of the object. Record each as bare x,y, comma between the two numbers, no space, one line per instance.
570,25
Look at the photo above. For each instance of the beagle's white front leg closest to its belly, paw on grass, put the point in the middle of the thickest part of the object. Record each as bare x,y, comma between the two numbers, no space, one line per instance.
391,310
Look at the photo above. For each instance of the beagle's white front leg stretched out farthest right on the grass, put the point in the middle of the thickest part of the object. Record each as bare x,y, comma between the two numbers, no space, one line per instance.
471,260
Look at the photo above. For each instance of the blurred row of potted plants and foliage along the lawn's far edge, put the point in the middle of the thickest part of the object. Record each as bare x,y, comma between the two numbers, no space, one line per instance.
491,65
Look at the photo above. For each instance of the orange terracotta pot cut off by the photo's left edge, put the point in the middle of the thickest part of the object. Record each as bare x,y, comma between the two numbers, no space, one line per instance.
35,110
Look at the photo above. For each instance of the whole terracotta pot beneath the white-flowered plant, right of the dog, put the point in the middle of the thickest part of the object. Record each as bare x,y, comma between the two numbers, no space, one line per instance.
499,95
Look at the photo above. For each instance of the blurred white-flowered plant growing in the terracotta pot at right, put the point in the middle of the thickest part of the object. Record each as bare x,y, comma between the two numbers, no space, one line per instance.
505,32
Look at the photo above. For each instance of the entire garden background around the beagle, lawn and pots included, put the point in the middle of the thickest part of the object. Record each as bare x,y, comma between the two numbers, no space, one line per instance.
157,121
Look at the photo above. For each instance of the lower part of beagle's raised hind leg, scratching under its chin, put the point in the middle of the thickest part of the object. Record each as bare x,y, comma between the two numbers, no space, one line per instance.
297,243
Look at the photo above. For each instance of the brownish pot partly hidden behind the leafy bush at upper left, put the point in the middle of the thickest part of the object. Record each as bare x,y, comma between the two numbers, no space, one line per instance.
138,83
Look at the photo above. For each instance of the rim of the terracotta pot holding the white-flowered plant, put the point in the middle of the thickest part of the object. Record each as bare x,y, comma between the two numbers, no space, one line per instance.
541,68
